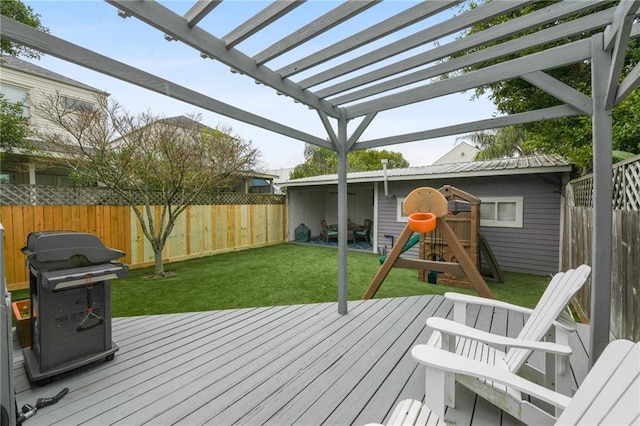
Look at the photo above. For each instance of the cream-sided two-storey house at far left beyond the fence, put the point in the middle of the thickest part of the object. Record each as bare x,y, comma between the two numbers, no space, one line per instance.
28,84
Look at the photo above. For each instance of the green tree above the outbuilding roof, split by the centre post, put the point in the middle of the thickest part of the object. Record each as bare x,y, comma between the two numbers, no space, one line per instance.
323,161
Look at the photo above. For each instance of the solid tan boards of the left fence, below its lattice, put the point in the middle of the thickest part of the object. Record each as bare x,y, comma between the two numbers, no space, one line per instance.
200,231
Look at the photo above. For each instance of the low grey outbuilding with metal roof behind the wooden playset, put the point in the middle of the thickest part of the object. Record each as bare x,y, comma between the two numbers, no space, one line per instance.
522,204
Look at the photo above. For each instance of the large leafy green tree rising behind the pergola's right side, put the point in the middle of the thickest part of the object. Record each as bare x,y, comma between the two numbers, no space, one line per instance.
569,137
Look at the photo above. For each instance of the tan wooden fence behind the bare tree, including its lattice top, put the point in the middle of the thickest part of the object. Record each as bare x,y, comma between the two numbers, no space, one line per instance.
230,222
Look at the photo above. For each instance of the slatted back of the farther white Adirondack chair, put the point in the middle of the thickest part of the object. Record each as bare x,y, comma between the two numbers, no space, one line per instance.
554,300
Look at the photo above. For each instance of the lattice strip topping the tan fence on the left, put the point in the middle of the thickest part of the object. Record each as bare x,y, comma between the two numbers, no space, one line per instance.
73,196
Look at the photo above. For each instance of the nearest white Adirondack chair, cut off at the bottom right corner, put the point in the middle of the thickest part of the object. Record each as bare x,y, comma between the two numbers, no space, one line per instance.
609,394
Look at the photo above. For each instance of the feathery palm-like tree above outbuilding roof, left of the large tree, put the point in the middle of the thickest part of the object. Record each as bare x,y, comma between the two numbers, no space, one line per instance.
505,142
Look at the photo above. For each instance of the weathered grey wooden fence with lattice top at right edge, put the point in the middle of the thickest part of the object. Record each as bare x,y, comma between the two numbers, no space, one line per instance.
625,273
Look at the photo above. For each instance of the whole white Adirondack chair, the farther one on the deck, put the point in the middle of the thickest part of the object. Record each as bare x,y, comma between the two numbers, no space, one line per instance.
548,320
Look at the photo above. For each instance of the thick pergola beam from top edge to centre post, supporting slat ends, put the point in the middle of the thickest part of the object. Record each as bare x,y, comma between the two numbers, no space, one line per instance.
163,19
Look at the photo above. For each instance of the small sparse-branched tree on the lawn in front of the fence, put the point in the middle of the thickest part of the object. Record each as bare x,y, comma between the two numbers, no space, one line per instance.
144,158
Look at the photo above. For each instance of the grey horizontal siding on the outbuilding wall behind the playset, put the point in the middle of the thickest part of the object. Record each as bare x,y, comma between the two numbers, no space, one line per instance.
533,249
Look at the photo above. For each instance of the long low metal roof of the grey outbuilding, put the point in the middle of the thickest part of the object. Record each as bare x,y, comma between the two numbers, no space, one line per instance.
509,166
